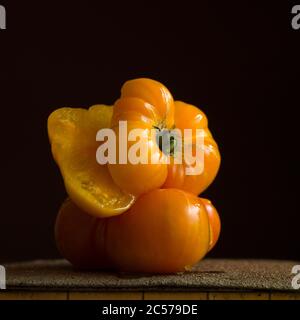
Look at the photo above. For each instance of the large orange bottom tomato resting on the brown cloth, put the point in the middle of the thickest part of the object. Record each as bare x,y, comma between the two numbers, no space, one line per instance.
165,231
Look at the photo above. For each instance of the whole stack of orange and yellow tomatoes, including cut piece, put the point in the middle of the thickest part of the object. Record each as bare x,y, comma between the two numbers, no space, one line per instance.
134,217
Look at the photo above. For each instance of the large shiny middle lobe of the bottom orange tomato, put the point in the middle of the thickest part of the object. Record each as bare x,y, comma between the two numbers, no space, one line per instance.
165,231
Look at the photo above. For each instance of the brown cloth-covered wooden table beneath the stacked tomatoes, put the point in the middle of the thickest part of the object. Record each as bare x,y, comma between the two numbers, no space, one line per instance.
210,279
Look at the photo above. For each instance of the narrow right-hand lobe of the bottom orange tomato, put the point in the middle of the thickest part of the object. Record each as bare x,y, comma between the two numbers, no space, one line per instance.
214,221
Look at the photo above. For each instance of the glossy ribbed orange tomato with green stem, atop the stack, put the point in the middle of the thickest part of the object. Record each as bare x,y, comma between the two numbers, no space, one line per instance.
146,104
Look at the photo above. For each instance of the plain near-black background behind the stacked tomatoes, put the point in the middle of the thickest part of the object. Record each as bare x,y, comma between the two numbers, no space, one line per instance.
236,61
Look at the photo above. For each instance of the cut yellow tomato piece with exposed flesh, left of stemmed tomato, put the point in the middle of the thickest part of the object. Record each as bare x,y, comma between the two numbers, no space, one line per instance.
72,133
